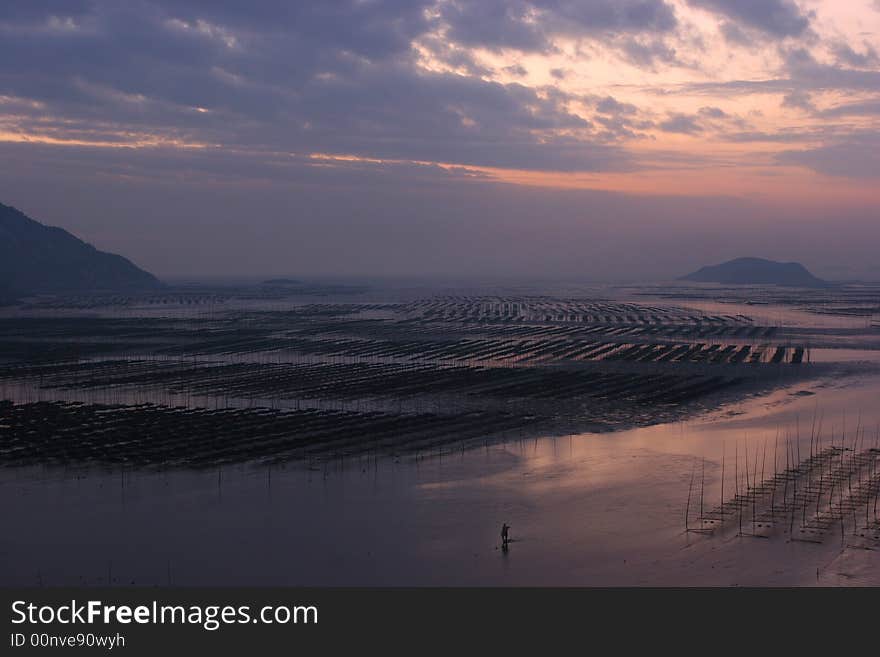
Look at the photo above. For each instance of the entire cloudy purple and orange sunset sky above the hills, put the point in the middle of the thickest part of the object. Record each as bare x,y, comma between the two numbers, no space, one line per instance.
535,139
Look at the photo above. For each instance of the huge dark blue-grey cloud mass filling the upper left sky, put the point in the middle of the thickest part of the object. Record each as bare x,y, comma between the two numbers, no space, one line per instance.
337,77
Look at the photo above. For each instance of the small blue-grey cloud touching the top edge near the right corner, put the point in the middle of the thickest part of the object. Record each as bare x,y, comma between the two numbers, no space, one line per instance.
777,18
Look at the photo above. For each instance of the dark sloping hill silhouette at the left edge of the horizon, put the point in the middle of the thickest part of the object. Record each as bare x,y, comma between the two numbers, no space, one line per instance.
36,259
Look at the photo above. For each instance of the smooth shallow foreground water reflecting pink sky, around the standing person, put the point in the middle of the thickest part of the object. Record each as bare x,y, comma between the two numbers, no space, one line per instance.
585,509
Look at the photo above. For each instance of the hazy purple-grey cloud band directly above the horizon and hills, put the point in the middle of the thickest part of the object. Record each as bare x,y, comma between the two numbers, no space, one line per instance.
379,220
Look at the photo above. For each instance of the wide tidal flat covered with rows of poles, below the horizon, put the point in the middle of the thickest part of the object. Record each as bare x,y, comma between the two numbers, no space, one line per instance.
384,437
